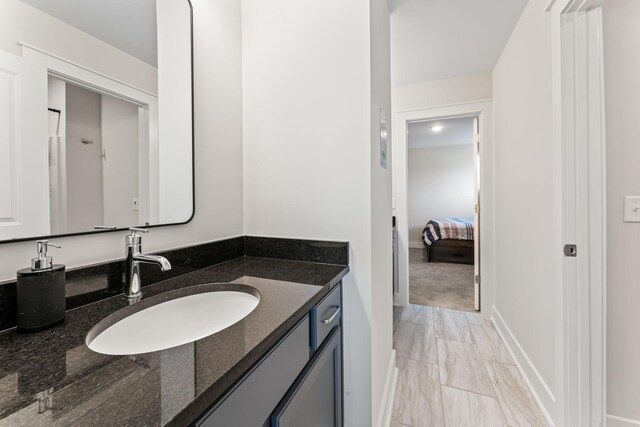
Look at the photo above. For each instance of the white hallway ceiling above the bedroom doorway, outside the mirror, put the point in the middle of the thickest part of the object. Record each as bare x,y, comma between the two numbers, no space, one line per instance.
438,39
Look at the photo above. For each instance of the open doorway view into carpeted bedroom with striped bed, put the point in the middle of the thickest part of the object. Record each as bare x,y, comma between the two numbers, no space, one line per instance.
442,199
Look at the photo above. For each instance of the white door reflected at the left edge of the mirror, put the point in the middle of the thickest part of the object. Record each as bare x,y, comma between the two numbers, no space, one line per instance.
24,164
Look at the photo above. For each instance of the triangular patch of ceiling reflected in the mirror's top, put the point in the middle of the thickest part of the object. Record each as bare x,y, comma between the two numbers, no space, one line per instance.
127,25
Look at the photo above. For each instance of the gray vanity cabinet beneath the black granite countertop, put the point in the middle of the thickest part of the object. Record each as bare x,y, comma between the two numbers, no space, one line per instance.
297,384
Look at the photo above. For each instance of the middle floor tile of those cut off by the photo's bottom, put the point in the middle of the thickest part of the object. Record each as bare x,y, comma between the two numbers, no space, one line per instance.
462,408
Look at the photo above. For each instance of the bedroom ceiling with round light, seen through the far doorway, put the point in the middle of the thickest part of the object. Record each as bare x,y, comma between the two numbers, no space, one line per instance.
458,131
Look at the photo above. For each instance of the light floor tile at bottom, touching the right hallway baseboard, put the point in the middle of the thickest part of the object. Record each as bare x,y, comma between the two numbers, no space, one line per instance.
517,403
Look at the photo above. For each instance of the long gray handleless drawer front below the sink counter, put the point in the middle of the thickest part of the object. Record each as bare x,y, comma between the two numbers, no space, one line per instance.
252,401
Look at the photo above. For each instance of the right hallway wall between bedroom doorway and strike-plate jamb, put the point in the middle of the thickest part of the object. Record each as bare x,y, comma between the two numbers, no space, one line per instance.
527,207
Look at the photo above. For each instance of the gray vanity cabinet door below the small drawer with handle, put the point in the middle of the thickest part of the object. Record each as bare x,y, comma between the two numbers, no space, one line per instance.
315,399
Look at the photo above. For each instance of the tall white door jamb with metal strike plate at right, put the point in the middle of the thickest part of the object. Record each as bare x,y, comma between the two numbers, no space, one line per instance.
584,216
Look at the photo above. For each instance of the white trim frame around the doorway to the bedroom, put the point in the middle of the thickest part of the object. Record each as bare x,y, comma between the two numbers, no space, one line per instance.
484,111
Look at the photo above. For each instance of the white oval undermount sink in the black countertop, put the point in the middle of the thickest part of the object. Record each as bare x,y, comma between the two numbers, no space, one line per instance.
179,320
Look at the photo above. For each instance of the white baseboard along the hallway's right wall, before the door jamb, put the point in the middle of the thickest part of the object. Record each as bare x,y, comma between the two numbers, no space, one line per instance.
538,387
